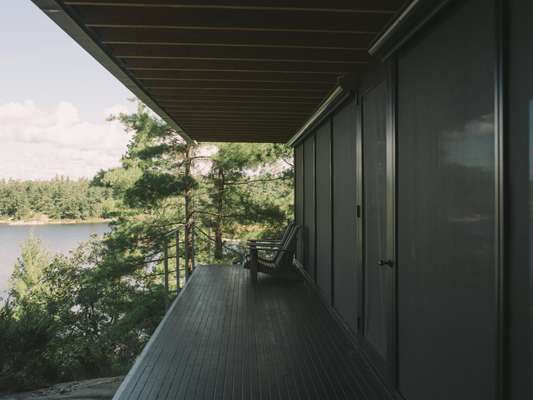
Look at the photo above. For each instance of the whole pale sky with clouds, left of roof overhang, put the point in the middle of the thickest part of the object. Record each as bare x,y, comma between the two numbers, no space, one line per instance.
54,101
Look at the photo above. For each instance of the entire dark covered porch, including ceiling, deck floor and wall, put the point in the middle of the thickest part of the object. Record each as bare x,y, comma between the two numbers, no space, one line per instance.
412,191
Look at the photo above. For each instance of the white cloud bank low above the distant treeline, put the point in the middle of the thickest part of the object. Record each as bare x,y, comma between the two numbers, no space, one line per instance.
36,143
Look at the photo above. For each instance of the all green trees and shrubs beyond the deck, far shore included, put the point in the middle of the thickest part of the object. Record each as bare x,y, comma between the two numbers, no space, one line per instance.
89,314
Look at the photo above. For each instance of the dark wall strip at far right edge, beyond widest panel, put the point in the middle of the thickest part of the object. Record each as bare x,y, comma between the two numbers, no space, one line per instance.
519,177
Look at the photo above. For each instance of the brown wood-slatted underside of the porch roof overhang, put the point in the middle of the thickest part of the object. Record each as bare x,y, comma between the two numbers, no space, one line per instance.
229,70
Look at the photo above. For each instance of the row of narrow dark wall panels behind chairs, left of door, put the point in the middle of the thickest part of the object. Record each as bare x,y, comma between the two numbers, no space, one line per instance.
326,166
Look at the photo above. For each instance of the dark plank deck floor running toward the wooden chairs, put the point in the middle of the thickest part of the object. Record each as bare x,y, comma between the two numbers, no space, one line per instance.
225,338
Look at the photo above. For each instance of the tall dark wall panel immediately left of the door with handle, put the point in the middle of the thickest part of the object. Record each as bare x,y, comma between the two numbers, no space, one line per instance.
344,215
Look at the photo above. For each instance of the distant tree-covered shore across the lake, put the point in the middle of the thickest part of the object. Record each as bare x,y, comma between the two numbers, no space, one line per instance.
58,200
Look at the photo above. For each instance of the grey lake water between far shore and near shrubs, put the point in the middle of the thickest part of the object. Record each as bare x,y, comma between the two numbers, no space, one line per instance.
56,238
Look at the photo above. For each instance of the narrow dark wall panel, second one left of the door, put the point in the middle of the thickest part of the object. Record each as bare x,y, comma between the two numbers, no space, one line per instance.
323,209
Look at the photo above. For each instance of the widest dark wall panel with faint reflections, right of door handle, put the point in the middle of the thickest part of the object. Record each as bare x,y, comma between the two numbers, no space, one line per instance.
446,209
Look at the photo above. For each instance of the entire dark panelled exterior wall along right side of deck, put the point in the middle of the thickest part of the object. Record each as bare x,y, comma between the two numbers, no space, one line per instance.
437,324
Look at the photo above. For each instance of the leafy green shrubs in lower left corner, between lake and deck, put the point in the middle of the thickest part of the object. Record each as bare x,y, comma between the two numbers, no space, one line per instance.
74,325
